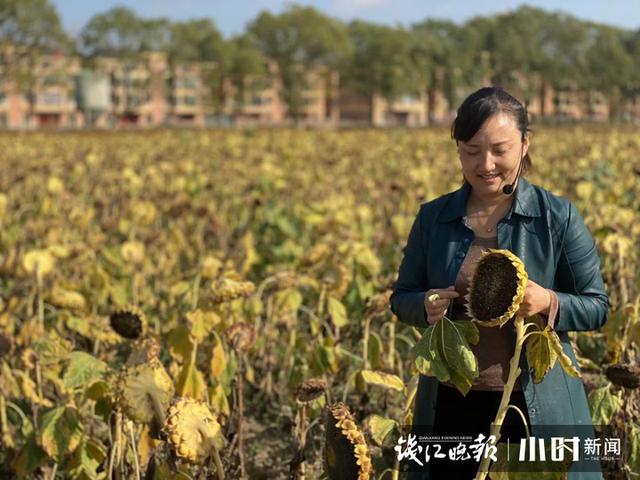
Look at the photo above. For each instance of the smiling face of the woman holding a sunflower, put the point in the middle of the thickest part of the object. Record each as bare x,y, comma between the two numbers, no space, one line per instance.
490,159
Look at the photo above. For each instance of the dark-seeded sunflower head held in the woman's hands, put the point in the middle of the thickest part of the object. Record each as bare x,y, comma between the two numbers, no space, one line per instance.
497,287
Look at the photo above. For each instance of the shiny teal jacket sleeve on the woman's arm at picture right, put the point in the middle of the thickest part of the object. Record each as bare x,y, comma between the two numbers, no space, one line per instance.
583,303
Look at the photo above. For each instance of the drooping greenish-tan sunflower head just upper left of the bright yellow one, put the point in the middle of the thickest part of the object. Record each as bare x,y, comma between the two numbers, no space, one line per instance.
145,391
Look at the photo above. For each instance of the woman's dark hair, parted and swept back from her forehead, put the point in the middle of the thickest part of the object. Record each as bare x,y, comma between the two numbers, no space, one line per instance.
484,103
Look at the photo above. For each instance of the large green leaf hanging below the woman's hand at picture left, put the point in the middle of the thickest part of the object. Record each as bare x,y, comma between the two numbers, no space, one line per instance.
443,351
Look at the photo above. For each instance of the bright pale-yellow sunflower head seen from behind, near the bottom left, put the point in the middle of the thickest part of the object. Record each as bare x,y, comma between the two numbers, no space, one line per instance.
191,430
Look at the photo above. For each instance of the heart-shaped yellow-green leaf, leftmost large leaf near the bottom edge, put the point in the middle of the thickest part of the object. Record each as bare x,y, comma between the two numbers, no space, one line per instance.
61,431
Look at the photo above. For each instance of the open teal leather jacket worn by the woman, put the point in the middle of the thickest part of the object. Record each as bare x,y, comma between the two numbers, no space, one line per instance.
559,253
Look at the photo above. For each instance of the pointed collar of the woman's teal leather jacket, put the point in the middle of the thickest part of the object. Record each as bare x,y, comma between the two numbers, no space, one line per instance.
525,202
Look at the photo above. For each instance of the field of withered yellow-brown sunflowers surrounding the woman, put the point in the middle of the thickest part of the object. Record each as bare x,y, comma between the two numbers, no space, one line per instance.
180,304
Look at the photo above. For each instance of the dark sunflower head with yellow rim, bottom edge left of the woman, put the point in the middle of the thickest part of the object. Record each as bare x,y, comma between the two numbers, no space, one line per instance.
345,454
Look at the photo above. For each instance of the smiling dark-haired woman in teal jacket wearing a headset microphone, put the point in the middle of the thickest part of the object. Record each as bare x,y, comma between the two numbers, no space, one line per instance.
498,208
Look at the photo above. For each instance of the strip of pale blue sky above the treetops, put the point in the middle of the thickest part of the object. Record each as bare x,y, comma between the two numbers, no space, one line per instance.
231,16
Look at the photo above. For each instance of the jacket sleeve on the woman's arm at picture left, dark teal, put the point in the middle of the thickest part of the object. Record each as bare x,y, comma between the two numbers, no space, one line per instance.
407,298
